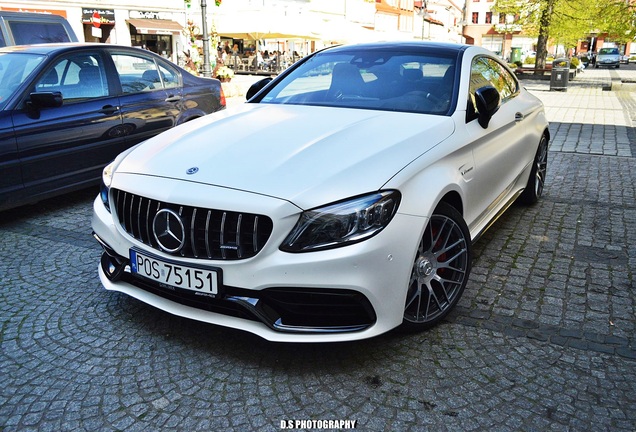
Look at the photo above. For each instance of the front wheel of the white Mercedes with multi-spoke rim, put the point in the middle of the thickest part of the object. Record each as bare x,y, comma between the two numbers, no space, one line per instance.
440,270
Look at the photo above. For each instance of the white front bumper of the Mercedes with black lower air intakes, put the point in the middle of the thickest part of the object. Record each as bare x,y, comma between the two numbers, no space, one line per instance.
348,293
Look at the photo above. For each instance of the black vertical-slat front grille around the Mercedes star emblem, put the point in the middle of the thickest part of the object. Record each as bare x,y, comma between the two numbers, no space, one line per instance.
209,233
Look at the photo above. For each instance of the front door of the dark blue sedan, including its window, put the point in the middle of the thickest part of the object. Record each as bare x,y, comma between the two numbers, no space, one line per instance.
67,146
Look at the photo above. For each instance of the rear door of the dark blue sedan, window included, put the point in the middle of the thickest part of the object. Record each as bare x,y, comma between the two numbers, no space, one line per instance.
150,96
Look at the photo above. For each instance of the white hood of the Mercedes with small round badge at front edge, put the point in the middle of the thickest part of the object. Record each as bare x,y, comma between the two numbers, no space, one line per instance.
307,155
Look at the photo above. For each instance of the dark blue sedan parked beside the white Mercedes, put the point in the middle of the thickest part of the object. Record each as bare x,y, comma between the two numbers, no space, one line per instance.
66,110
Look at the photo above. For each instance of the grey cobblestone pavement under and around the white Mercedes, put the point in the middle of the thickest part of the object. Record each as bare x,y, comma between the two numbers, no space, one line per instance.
544,338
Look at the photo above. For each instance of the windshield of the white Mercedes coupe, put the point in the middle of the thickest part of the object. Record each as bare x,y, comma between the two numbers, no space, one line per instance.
370,79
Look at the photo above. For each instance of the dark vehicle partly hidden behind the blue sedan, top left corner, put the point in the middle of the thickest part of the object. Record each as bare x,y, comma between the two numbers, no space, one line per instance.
25,28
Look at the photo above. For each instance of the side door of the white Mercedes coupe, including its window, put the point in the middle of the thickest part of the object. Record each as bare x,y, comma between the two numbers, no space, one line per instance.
503,149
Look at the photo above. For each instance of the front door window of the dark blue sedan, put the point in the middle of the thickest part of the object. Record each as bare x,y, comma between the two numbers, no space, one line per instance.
80,76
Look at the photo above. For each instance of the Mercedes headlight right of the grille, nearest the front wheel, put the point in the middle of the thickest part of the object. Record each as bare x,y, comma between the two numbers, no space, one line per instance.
342,223
